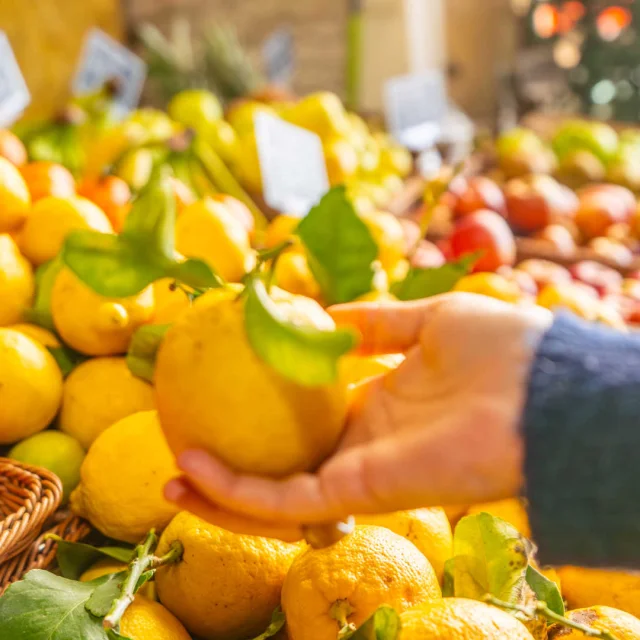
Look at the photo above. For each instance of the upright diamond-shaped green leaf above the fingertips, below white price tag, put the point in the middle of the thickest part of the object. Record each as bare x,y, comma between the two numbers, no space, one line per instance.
340,248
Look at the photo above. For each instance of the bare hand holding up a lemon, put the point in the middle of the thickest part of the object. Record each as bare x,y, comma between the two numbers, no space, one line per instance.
442,429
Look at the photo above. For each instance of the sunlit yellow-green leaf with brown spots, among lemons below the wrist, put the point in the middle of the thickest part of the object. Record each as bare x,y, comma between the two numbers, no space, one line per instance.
490,558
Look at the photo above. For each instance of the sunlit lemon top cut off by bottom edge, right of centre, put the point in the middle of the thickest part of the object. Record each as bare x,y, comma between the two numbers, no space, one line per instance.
460,619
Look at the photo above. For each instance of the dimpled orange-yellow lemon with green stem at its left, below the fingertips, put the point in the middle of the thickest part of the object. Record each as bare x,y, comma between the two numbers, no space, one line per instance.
226,585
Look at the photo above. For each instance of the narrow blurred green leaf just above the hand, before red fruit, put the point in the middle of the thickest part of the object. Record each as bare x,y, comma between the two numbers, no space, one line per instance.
424,283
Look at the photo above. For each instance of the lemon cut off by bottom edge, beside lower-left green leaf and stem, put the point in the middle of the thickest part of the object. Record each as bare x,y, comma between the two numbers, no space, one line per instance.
148,620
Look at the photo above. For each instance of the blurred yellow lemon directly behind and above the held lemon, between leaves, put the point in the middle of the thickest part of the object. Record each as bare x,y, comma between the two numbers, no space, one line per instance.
207,230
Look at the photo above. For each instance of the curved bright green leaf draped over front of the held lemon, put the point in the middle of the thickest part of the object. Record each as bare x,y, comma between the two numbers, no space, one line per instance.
299,352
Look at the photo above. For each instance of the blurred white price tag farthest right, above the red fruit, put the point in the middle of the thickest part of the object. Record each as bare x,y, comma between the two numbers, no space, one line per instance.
416,105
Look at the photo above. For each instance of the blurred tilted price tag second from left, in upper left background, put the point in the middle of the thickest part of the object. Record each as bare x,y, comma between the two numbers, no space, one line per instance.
104,59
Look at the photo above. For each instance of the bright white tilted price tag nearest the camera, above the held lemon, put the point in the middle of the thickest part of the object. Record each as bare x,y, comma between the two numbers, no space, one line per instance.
294,173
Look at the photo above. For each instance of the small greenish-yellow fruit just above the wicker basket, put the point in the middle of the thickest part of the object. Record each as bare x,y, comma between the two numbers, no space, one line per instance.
55,451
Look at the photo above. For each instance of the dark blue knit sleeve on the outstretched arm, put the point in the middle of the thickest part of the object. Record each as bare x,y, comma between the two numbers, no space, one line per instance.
582,435
